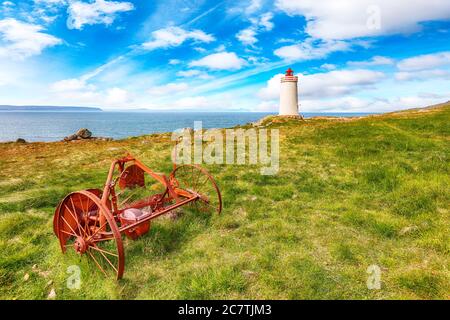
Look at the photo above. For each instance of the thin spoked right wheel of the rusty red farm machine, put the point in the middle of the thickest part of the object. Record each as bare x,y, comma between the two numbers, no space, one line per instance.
195,179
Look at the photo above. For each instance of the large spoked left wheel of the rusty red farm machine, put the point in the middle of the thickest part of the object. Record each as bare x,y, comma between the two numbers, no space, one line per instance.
82,223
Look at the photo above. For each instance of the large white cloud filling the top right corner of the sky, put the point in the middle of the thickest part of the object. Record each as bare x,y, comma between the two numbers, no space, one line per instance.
349,19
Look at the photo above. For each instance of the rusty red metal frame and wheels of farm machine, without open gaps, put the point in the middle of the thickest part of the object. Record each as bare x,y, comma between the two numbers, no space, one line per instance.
85,216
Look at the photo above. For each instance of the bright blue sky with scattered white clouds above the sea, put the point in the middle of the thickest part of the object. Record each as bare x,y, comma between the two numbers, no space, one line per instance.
350,55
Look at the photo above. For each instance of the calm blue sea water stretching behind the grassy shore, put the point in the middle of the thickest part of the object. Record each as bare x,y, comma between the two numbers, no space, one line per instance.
54,126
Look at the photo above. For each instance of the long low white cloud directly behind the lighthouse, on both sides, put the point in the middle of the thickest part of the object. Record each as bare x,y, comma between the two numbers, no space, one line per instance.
325,85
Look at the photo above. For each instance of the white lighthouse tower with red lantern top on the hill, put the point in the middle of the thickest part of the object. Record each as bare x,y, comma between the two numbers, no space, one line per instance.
289,94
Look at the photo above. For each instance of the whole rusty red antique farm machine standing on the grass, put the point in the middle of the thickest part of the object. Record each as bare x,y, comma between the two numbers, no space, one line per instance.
92,221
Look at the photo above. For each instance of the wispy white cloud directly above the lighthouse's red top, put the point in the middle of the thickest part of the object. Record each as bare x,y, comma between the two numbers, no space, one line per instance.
311,49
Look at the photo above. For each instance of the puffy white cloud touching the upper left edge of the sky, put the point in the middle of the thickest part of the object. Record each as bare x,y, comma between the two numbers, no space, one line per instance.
21,40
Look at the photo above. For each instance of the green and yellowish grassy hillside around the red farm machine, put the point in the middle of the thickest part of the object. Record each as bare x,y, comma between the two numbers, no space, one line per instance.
349,194
